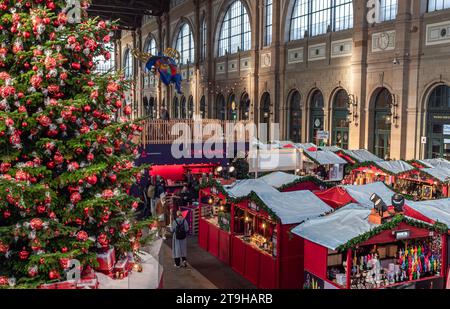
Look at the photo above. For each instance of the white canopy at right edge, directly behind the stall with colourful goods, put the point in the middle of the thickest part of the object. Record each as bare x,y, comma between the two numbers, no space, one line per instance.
436,210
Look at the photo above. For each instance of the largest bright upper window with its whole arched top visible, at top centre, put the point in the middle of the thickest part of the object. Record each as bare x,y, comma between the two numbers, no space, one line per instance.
235,34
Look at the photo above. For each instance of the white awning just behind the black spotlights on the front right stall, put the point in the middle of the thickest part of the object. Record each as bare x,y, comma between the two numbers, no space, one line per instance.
362,194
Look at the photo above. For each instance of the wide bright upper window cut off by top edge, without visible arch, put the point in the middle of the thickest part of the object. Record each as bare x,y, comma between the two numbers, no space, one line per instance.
316,17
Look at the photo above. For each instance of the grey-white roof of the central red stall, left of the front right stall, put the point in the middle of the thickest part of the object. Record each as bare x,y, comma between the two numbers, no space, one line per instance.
294,207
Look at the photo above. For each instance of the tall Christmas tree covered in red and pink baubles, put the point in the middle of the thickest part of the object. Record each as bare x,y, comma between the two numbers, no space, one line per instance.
67,146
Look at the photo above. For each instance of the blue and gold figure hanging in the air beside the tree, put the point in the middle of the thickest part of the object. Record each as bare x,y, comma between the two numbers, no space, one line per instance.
165,66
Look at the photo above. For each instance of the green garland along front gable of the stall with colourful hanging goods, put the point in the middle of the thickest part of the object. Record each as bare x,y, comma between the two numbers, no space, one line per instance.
353,243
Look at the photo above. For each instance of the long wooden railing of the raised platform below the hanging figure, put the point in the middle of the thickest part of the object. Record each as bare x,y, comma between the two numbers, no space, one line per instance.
160,131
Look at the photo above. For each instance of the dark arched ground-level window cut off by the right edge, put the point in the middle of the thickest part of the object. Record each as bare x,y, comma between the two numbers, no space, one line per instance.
438,123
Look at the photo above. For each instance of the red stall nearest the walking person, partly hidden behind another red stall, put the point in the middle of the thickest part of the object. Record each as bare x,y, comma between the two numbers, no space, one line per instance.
216,210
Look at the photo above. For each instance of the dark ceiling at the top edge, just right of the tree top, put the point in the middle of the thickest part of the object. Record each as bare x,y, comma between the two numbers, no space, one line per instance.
129,12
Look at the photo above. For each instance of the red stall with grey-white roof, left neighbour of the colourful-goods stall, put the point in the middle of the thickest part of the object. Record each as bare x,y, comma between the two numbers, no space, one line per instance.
263,250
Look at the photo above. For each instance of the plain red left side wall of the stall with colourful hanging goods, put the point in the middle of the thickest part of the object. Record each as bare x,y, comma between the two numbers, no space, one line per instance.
315,259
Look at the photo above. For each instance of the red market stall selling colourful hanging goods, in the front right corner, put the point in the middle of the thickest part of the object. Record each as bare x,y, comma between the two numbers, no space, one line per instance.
346,250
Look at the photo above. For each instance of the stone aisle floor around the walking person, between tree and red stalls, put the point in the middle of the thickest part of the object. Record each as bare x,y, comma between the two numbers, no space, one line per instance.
204,271
